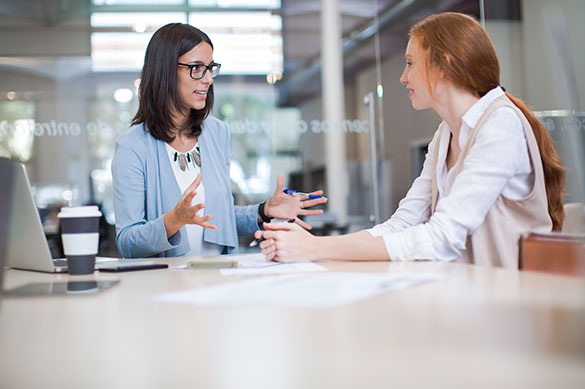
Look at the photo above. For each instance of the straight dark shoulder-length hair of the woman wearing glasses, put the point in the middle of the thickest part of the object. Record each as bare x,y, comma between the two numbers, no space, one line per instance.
158,93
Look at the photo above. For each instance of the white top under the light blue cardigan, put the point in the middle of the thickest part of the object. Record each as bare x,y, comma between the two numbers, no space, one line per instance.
194,232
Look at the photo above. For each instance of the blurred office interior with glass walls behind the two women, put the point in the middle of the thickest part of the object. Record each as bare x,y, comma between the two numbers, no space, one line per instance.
310,89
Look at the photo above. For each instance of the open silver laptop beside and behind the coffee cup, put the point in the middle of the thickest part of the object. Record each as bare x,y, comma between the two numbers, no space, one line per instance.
27,246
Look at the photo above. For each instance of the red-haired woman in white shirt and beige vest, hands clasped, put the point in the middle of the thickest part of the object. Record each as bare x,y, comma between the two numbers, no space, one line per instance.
491,172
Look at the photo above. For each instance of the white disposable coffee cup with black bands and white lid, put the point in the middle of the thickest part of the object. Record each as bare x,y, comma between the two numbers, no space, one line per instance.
80,236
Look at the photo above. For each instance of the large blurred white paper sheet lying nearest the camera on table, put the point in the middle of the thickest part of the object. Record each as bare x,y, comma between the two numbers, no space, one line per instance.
299,290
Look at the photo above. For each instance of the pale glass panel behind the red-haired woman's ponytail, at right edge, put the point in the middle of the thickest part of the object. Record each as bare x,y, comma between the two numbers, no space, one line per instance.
540,48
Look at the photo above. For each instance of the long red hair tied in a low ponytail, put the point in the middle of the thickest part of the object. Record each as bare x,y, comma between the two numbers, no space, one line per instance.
458,45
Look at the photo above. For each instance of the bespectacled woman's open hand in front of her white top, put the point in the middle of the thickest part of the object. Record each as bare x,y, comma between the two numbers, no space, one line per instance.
185,213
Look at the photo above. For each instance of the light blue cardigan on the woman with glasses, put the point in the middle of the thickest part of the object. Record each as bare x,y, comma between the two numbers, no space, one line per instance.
145,189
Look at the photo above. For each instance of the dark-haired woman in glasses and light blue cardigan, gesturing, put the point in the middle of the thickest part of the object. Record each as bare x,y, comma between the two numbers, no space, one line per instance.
171,170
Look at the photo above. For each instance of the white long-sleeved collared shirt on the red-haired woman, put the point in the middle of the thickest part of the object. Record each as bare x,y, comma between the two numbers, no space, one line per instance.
498,163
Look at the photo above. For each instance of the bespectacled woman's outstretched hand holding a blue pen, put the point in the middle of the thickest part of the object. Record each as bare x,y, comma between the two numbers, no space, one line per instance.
286,207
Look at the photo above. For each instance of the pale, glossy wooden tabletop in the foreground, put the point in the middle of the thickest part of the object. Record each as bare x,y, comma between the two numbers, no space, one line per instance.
476,327
